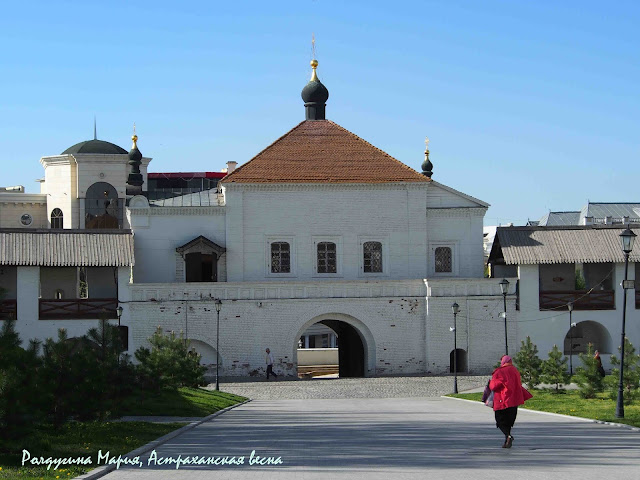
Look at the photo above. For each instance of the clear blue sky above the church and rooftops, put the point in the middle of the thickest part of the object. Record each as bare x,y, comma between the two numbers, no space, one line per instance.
529,106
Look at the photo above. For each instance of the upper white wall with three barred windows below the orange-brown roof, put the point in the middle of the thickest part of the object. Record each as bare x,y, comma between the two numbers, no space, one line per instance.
394,215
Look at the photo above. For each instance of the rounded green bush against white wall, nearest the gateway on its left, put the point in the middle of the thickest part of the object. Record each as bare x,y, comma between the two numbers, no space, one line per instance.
169,363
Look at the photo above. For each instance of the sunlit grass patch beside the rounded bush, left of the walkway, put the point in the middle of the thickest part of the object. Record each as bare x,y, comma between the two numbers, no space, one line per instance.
186,402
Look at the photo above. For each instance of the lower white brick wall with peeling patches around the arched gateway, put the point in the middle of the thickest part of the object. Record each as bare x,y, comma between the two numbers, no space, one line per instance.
404,330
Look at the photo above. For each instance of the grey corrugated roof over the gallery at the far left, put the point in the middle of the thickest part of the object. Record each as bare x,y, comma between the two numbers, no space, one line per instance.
66,248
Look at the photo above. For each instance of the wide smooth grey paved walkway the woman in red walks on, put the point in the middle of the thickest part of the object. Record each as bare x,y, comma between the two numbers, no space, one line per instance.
426,438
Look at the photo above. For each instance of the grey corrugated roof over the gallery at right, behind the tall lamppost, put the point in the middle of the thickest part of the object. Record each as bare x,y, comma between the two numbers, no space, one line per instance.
548,245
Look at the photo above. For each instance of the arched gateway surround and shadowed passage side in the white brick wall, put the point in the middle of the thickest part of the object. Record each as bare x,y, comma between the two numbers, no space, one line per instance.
356,347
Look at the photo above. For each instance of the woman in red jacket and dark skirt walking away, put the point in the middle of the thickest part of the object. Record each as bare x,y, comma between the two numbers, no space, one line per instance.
508,393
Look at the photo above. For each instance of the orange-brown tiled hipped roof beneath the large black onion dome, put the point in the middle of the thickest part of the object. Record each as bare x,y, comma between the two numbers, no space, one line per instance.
321,151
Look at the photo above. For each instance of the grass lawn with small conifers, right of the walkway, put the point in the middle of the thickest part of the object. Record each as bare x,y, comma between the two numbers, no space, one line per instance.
570,403
